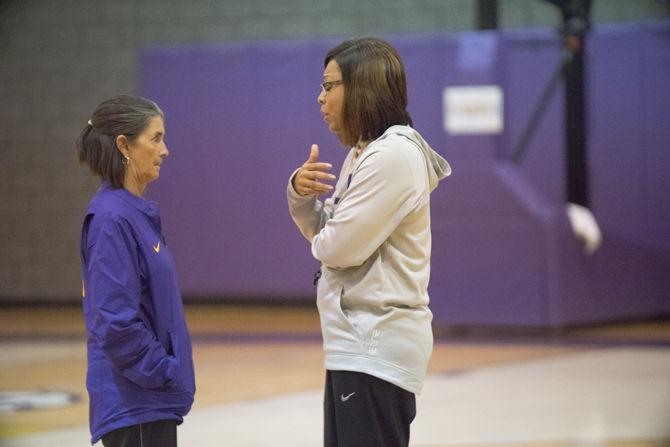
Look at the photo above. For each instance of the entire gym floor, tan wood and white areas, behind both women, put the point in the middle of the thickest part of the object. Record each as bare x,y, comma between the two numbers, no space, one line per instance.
259,376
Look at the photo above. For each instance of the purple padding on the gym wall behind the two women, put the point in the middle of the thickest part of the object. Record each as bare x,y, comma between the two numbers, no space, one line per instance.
241,117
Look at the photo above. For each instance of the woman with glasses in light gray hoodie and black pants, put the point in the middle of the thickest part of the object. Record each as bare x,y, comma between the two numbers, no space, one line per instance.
372,237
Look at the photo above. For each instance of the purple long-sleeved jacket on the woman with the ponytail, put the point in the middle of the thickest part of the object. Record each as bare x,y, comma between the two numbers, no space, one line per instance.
140,366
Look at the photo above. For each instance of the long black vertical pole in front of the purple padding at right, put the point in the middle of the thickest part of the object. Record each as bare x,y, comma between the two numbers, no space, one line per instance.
576,22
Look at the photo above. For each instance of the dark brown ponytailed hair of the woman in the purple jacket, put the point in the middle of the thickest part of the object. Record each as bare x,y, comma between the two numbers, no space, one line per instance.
96,144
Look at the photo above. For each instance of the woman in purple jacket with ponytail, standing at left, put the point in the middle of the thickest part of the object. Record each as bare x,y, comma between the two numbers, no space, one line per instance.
140,377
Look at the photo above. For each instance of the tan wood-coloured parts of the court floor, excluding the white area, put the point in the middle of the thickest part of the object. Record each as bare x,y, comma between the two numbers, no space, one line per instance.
250,352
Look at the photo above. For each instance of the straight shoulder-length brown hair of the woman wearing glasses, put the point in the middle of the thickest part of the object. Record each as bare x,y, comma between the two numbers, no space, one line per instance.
375,95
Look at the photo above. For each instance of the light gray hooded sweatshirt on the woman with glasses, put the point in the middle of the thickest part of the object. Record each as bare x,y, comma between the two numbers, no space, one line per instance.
373,239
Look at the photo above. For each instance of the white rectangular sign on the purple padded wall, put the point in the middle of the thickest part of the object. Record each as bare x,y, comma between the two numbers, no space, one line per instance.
474,109
